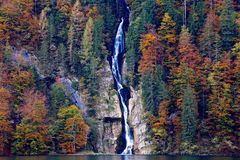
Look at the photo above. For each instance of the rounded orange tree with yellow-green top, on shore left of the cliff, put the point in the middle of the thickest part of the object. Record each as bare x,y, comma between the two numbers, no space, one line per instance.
71,130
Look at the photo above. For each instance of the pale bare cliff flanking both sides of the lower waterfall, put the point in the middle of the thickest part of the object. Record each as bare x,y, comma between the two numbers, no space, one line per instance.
109,116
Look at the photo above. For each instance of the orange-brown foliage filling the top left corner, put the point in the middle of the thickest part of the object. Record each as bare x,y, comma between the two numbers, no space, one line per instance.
17,23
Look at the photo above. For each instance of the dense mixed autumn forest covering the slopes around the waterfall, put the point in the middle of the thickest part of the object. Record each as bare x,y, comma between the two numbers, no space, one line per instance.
184,56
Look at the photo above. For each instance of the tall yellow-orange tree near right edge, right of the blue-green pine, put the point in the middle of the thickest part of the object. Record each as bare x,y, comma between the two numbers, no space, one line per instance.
220,121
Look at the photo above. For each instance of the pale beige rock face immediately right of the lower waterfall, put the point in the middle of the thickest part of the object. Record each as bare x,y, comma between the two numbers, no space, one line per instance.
138,123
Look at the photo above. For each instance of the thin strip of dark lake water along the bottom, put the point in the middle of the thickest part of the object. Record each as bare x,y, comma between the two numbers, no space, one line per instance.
104,157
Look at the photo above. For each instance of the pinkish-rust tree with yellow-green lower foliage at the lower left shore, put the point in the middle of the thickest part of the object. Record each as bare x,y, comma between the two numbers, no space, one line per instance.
31,137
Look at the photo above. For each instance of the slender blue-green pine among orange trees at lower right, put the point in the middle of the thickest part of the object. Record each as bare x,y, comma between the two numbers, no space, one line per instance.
188,115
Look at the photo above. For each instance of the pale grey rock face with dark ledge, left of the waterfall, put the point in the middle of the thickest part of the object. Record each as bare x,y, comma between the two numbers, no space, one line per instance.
108,113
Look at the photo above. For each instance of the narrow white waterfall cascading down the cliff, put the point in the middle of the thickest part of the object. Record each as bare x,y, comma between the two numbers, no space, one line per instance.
118,49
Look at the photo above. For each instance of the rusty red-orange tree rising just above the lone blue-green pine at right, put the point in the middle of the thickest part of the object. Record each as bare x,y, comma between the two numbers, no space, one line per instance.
188,71
